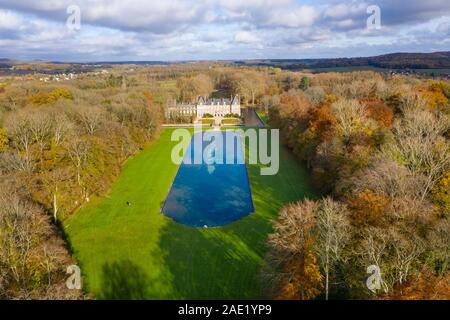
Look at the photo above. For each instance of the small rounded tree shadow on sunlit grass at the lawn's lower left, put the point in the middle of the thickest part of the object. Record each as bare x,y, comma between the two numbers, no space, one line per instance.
123,280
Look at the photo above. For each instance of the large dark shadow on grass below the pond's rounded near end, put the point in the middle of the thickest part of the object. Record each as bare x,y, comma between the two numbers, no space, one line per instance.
210,263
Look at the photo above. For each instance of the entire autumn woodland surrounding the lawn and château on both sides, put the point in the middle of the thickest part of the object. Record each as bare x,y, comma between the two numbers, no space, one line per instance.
377,148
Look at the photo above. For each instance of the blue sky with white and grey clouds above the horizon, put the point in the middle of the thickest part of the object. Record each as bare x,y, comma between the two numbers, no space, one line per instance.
173,30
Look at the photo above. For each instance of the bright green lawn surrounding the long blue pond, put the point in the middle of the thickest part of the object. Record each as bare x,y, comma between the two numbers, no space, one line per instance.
134,252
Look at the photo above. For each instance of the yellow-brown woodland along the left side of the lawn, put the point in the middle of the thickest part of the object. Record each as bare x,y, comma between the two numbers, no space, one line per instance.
60,145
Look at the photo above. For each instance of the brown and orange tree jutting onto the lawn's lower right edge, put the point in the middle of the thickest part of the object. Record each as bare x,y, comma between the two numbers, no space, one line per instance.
291,268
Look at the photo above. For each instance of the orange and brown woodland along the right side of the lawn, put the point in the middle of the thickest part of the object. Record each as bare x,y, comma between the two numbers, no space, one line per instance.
380,153
